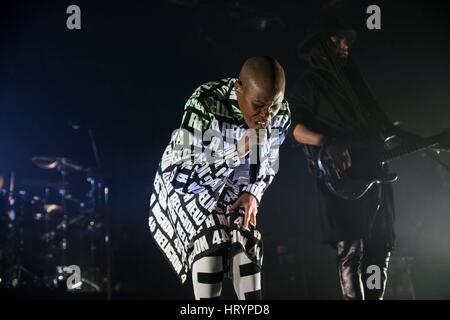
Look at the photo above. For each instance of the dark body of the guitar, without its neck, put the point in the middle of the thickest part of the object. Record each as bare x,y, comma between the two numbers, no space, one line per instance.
366,170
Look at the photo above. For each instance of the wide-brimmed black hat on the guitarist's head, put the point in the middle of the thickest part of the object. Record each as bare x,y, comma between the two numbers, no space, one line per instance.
322,30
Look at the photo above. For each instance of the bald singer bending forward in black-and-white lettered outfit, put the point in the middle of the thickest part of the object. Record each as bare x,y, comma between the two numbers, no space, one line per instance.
205,199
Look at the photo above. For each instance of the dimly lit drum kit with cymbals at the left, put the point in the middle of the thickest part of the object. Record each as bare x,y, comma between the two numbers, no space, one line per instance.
59,224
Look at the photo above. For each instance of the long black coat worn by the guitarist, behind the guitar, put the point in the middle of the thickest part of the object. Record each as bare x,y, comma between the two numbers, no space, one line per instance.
318,103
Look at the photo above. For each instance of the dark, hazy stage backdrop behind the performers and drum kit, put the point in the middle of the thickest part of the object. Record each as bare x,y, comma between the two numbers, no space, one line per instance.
127,73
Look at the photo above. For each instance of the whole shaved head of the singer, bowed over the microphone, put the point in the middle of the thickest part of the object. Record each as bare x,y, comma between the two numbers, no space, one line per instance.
260,90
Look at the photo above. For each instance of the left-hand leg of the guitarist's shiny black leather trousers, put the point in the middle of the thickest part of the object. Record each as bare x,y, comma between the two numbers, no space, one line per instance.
349,255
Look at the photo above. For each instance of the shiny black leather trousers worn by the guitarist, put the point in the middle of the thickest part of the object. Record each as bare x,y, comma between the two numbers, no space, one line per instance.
353,261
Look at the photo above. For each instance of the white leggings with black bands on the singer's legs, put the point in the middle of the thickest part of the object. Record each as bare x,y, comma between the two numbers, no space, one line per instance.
208,274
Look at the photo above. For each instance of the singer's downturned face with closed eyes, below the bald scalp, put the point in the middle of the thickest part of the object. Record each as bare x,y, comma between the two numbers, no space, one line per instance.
258,105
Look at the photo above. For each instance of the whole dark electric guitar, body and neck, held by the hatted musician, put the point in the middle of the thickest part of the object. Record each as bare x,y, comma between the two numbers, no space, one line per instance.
366,167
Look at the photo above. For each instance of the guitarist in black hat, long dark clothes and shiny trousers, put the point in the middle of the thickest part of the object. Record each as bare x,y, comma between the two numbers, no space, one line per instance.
332,106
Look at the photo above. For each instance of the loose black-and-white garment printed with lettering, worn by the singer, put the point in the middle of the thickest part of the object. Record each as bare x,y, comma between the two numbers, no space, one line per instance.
189,216
